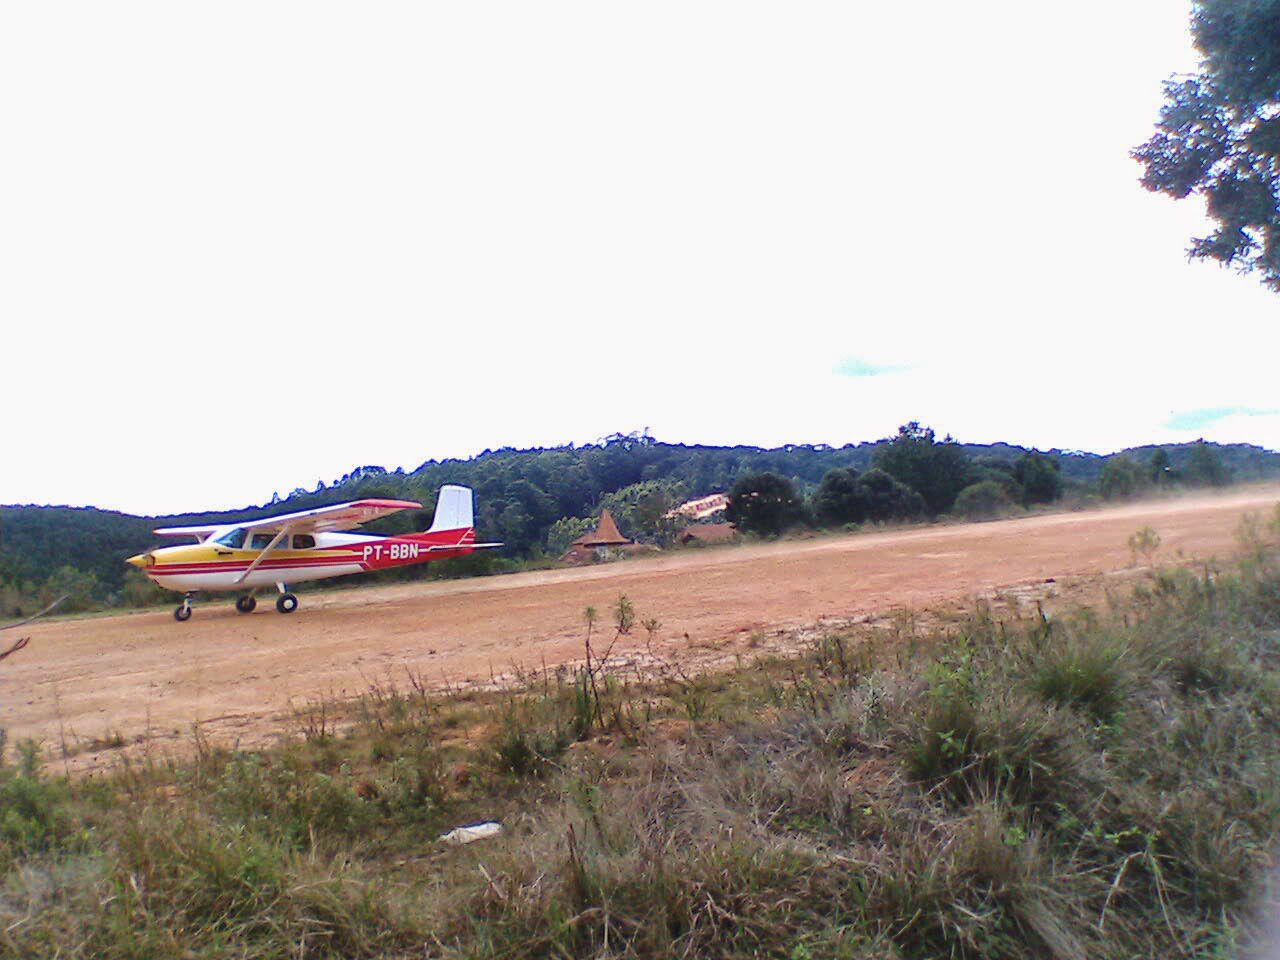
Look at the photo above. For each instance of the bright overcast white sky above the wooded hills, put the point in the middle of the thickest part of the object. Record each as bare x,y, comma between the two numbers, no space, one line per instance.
249,246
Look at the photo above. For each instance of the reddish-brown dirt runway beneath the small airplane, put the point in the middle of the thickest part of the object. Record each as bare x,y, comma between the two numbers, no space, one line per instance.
145,675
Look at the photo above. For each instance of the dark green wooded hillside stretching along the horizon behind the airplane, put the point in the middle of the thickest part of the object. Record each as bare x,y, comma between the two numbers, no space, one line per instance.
522,495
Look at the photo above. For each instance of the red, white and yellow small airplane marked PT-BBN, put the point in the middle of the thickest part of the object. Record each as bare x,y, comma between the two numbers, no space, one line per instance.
305,546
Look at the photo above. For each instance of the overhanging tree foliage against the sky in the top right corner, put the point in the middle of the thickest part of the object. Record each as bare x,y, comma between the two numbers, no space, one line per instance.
1219,135
